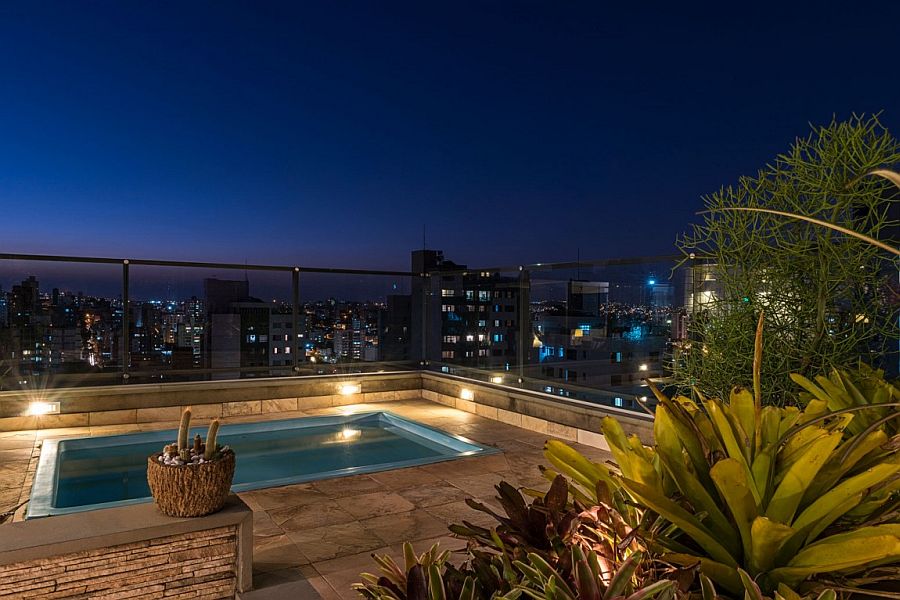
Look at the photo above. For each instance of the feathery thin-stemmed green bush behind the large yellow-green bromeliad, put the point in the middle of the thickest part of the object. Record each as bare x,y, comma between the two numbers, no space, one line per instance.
824,290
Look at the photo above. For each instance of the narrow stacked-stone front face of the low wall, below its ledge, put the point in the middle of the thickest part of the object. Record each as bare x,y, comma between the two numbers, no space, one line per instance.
199,565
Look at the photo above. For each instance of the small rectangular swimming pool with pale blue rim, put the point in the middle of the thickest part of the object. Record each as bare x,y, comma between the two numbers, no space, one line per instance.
78,474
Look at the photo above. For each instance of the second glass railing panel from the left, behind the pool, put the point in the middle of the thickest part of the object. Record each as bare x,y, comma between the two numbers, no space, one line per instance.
197,323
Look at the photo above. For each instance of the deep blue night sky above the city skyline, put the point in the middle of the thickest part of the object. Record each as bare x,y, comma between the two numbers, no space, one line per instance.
328,133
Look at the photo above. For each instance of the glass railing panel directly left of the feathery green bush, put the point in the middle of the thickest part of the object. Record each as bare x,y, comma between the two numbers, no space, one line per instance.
604,327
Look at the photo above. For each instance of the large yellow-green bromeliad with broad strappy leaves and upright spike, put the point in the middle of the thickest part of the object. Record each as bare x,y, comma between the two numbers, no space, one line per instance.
782,494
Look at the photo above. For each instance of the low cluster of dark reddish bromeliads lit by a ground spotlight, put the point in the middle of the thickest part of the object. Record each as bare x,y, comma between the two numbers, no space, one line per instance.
550,548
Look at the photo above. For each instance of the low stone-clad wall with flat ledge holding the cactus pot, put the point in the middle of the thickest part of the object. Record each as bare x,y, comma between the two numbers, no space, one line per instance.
128,552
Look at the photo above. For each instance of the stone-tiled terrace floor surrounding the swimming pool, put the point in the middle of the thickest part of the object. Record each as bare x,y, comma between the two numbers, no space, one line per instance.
324,532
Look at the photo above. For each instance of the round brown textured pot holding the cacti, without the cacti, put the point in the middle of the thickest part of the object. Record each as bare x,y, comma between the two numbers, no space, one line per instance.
191,490
